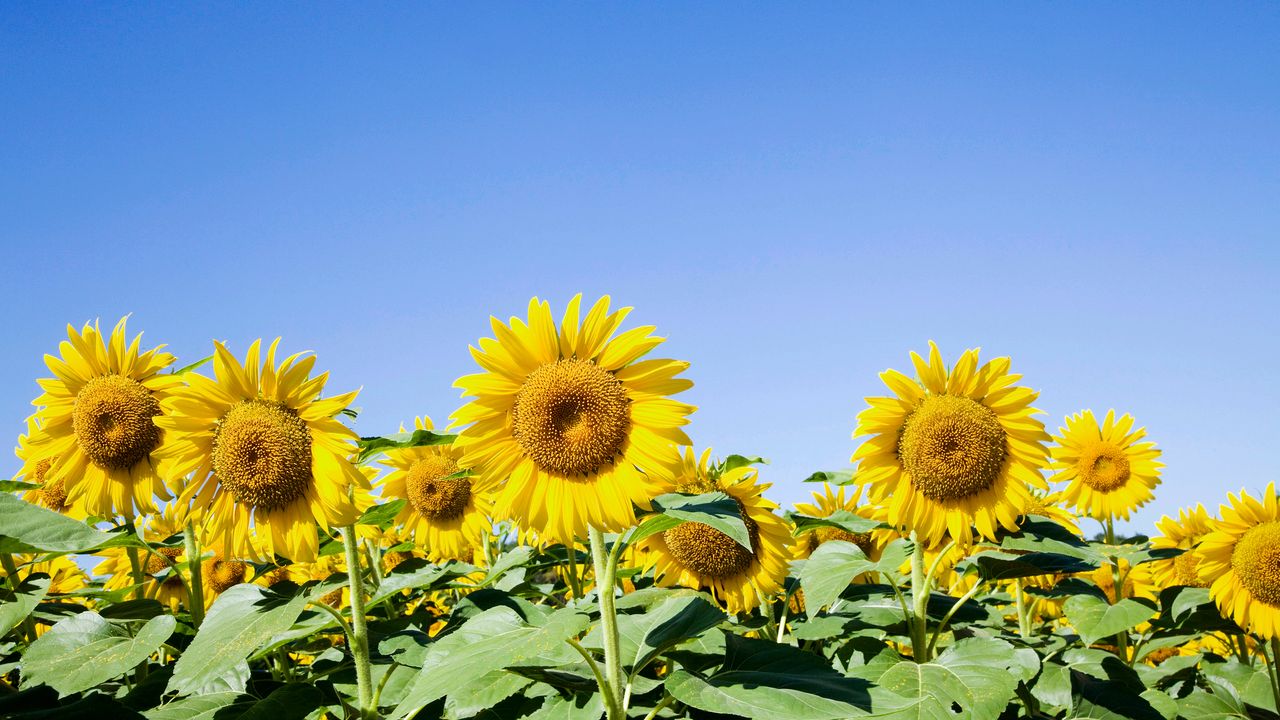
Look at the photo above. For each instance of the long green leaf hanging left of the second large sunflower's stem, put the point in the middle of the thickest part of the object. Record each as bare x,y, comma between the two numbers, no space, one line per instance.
241,621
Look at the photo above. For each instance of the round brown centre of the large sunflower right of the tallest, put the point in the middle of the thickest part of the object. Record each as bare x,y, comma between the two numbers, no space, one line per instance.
952,448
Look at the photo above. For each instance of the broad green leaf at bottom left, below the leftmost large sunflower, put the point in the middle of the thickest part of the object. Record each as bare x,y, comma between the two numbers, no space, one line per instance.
85,650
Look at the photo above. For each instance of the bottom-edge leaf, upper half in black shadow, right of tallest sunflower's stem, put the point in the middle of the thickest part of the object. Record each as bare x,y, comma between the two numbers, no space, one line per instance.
766,680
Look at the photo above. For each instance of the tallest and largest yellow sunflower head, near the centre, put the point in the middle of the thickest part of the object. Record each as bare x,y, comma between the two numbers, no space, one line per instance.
577,427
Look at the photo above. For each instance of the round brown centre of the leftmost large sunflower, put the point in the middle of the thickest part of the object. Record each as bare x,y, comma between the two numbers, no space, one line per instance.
112,421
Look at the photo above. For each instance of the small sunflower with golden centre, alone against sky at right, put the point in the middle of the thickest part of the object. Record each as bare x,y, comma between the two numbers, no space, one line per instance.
1109,472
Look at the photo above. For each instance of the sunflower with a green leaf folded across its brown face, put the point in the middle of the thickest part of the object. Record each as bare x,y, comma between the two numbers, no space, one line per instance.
700,557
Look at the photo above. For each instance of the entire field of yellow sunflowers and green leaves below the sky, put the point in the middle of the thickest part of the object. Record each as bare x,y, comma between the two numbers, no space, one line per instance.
213,541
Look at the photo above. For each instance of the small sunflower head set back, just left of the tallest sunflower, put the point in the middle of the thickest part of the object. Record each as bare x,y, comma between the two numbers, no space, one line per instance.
447,514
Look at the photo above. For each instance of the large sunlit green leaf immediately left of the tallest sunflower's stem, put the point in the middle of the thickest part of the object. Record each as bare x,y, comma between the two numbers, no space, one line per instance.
493,640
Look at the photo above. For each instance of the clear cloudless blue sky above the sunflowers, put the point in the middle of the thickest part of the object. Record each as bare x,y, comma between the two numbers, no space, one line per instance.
796,197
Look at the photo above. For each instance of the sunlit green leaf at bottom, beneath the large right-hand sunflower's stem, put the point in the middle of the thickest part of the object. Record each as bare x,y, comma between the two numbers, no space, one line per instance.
971,680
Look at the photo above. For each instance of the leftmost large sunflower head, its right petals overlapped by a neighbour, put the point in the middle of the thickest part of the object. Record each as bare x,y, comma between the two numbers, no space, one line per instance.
97,436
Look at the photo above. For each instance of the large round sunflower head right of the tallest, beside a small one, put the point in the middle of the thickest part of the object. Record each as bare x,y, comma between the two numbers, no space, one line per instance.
954,450
